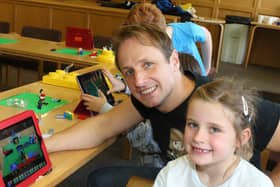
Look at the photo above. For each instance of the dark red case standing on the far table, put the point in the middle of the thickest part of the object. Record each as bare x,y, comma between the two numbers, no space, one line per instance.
79,38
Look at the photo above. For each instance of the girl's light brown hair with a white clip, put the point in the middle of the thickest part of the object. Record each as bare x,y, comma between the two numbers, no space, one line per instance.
239,99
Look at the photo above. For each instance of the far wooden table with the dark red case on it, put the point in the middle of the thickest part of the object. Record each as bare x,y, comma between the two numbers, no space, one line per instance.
40,50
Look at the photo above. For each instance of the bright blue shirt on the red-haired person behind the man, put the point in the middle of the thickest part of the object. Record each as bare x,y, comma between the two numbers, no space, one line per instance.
184,38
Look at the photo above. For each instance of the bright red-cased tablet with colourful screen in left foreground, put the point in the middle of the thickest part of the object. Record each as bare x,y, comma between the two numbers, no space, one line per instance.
23,157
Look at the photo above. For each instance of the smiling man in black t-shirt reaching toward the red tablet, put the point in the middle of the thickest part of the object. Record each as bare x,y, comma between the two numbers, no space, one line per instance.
160,92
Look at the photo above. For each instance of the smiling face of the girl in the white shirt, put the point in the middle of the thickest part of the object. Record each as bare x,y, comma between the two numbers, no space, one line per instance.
210,137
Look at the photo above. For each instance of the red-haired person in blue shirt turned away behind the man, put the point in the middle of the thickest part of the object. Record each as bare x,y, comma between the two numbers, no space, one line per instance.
184,36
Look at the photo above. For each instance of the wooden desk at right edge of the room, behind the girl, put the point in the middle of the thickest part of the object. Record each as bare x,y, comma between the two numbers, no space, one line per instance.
268,50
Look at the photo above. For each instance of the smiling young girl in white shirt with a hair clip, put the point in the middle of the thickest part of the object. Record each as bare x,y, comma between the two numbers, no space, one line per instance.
218,140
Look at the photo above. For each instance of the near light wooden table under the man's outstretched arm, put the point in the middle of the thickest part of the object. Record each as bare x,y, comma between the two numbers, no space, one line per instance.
63,163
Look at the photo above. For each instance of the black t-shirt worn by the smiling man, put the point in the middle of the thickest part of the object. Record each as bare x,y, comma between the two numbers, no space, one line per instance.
266,122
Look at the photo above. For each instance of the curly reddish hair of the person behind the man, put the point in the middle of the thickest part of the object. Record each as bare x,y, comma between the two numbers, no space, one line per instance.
146,13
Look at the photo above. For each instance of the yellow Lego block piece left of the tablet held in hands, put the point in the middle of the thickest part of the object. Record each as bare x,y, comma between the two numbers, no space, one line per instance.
61,78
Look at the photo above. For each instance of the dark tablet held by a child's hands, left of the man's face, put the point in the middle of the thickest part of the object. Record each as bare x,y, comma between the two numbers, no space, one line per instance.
90,82
